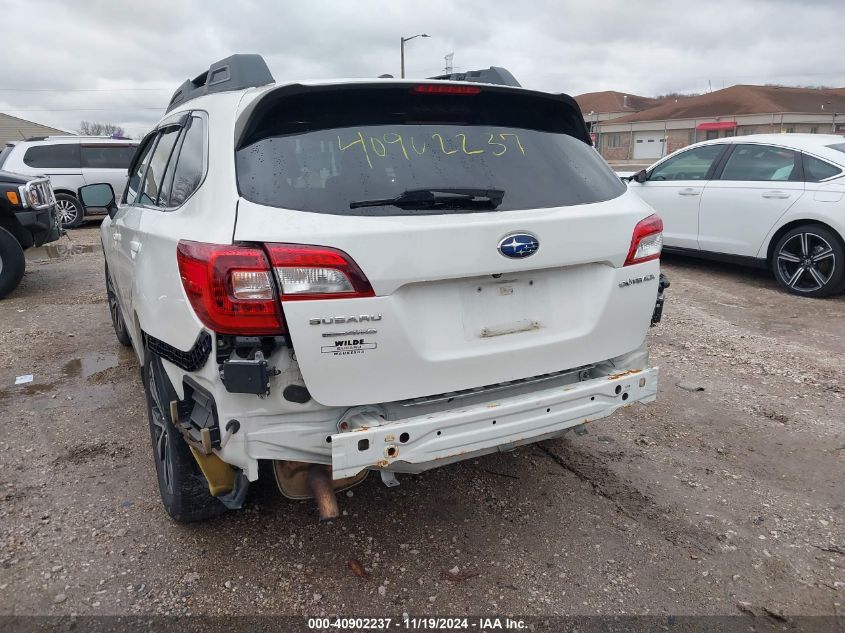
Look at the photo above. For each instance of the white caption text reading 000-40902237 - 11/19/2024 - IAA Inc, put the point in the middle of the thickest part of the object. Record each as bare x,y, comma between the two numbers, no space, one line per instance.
406,622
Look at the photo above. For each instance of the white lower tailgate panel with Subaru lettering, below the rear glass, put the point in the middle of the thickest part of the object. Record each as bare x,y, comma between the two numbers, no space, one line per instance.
450,312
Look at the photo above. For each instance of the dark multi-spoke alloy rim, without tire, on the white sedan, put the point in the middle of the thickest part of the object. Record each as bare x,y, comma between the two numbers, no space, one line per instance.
806,262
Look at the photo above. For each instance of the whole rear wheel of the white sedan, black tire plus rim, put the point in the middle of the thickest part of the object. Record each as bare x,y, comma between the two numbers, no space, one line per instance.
809,260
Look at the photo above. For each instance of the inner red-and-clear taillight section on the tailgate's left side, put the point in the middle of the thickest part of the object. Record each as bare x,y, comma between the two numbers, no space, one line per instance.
316,272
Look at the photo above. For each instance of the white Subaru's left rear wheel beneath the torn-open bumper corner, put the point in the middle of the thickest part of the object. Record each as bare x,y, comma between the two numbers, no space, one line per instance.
183,488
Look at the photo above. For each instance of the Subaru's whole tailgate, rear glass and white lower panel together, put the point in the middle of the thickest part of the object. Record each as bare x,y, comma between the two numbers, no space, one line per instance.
451,311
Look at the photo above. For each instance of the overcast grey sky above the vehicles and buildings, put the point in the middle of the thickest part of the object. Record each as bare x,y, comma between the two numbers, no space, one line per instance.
110,60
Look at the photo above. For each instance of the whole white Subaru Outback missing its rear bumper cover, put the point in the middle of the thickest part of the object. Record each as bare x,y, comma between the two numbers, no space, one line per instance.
337,277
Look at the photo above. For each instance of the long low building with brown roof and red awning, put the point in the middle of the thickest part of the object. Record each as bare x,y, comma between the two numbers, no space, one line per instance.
652,133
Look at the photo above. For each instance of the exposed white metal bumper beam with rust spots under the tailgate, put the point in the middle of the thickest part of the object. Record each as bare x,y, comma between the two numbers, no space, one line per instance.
419,443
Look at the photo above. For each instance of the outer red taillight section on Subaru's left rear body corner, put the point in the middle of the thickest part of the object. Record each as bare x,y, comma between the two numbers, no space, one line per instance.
230,288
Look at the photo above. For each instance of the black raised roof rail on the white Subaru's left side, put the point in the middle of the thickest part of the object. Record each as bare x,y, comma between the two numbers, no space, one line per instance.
236,72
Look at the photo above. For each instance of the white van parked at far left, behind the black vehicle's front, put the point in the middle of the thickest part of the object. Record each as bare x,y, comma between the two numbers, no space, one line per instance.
71,162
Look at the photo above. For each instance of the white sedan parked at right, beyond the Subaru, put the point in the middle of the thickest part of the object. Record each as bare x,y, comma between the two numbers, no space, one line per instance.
766,200
